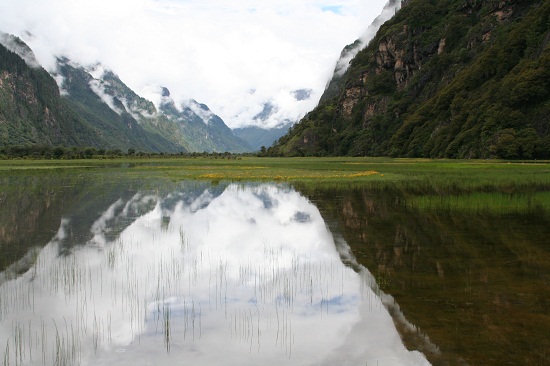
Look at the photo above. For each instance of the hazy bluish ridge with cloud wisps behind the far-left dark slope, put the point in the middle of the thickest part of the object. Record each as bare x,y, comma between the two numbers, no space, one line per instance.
101,96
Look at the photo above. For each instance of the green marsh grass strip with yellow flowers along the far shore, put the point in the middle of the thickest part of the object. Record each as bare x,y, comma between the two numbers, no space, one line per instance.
419,173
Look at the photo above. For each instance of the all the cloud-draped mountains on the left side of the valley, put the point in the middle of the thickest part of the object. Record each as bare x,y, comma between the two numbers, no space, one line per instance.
79,106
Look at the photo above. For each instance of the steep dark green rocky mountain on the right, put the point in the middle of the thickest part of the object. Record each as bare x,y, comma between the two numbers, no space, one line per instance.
448,78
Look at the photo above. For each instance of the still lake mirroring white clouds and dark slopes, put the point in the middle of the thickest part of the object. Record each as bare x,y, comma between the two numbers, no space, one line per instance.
105,268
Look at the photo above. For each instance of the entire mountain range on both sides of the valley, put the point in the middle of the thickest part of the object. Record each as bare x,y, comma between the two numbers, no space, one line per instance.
430,78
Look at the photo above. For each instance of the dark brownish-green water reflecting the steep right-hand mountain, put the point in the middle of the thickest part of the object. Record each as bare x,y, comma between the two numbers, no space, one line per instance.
473,274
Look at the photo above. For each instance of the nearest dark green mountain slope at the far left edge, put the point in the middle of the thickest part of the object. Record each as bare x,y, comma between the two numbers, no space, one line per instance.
32,110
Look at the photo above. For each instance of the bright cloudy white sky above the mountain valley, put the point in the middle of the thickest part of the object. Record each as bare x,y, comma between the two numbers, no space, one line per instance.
234,56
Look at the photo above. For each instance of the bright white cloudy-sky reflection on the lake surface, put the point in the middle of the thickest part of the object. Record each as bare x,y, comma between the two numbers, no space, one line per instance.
249,276
